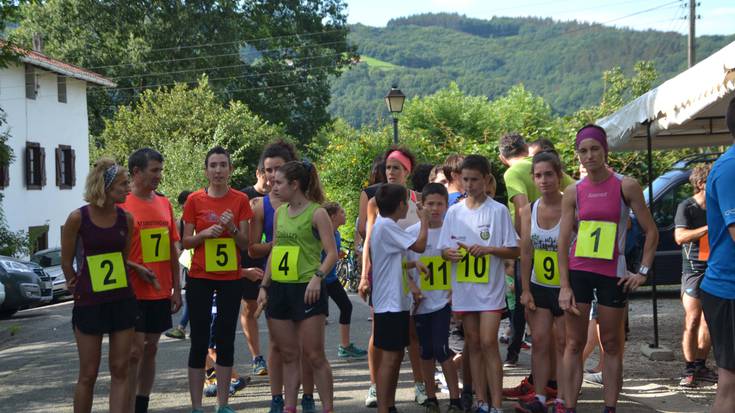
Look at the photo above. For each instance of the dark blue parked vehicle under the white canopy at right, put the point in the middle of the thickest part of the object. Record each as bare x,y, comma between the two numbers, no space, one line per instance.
669,190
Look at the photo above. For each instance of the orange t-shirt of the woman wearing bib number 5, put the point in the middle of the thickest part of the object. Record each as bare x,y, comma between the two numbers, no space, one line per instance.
218,258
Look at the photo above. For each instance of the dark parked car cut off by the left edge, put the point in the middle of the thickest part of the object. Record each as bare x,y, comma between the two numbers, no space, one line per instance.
26,284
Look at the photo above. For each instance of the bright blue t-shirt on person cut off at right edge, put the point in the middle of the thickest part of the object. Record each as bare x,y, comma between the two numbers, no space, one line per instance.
719,279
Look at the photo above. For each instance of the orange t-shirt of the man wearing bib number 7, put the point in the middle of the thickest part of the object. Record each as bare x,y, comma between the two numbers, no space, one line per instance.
154,232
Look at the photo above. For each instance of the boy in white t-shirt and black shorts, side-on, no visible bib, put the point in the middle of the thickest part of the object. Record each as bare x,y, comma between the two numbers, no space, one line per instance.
388,245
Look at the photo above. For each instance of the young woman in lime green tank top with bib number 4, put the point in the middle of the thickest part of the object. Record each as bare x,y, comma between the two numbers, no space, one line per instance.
293,288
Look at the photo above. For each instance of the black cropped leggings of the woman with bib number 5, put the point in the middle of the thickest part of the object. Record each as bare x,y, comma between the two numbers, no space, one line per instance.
199,294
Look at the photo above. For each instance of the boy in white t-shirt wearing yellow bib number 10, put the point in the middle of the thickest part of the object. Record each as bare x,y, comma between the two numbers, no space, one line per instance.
477,236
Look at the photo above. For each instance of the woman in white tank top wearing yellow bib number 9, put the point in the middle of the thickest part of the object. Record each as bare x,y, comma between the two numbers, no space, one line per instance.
540,278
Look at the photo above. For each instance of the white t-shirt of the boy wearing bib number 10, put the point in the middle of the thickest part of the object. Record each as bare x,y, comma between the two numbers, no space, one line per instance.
488,225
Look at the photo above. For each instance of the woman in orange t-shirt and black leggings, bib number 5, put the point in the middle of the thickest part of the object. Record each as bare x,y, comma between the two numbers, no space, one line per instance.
216,226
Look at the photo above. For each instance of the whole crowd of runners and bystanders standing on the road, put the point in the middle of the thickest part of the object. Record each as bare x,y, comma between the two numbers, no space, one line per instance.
442,264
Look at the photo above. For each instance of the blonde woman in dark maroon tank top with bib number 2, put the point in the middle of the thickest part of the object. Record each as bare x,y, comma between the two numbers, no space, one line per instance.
97,236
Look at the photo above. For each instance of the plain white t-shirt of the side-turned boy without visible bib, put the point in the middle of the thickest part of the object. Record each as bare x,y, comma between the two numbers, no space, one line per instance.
388,246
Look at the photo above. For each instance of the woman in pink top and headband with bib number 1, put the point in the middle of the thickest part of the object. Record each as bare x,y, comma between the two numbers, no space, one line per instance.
597,207
